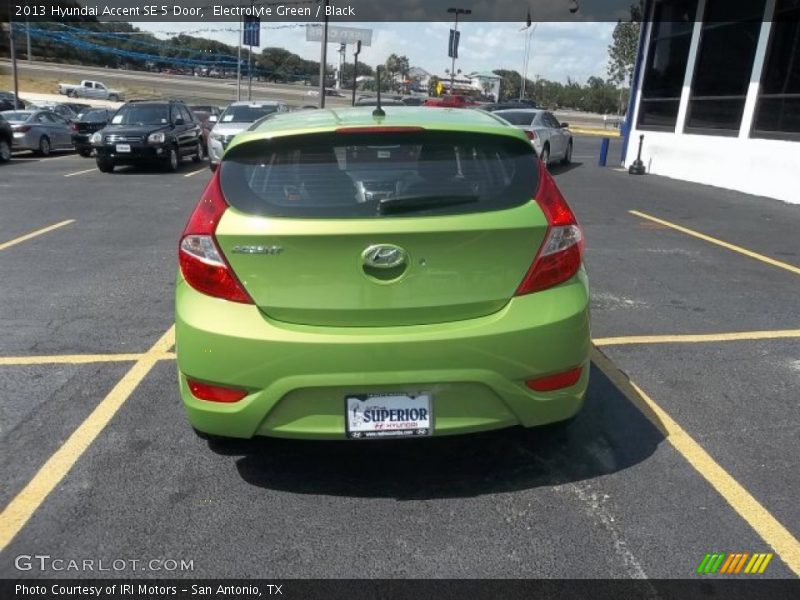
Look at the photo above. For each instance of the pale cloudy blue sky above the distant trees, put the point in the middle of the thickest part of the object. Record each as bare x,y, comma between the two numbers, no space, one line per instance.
559,50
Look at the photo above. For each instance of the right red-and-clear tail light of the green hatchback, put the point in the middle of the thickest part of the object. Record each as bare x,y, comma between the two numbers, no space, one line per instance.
561,253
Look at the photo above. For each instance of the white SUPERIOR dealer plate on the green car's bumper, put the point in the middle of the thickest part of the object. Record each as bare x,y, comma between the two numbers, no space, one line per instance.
388,415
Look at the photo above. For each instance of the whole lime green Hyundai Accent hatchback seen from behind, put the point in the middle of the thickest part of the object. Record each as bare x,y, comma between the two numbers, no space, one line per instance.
347,275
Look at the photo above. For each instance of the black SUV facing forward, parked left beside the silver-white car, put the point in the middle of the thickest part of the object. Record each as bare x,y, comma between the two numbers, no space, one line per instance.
149,131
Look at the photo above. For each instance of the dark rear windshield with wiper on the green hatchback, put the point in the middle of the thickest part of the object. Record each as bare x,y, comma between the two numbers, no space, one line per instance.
385,175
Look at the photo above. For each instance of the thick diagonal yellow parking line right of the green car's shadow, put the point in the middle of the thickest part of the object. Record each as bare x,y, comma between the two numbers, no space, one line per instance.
754,514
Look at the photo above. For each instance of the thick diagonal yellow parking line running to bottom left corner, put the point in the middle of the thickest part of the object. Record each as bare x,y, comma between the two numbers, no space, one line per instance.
27,501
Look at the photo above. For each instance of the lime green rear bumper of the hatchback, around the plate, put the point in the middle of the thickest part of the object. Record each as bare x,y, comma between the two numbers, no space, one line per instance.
298,375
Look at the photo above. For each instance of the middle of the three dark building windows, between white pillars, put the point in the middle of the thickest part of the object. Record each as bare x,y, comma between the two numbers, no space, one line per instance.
724,65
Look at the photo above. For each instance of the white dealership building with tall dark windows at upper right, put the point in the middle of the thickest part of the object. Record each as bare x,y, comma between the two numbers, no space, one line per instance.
717,94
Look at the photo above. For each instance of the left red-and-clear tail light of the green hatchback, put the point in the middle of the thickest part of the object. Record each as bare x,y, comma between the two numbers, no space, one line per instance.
202,264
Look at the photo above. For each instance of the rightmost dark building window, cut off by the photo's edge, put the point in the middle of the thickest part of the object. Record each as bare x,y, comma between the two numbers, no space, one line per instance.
778,108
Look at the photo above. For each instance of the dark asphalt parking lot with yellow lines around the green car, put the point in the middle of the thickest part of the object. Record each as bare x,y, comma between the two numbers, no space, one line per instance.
688,443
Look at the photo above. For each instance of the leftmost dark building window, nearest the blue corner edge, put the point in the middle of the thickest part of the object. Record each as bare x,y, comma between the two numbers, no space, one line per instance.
665,69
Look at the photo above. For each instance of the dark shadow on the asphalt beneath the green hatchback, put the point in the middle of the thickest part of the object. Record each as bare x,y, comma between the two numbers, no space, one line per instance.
610,434
